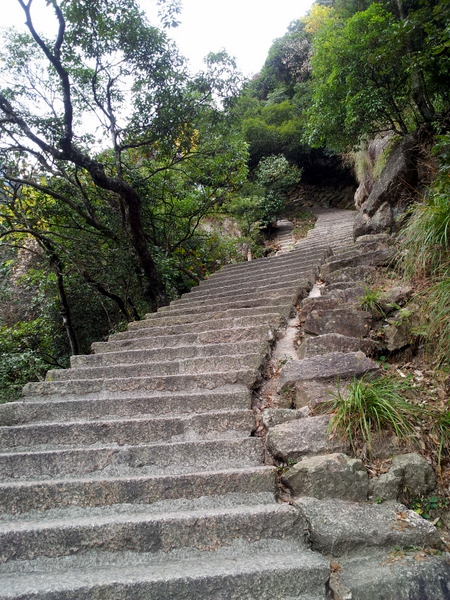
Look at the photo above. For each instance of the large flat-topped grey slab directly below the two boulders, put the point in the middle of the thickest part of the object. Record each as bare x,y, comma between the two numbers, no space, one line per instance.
338,527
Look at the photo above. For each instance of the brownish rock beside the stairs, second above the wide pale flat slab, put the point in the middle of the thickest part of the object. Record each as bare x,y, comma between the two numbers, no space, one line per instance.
352,323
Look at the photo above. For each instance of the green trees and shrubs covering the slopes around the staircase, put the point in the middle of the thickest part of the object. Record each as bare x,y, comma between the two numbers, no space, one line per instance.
116,166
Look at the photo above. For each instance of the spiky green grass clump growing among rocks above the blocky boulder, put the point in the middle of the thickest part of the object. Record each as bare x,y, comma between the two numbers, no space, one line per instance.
368,406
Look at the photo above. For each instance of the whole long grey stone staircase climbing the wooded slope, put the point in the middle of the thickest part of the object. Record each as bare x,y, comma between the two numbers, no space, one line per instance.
134,475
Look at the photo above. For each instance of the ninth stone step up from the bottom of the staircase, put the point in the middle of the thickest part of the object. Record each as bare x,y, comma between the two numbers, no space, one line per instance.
167,354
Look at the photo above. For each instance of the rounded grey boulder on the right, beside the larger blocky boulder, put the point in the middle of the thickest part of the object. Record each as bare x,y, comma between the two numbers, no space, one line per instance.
408,472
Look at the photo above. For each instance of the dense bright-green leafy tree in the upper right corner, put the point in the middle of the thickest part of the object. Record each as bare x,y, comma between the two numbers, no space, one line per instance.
377,70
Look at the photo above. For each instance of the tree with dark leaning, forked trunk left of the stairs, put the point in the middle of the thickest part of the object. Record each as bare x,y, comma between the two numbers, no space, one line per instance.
101,113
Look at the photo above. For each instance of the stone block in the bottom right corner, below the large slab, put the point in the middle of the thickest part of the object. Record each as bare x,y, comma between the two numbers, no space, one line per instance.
403,574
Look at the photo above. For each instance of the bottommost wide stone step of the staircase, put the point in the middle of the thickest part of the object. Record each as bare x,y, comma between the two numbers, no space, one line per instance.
264,570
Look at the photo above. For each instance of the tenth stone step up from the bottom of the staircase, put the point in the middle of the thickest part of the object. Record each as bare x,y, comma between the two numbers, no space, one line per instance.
260,333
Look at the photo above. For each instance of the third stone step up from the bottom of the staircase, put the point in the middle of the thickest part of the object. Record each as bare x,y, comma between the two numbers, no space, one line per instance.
59,495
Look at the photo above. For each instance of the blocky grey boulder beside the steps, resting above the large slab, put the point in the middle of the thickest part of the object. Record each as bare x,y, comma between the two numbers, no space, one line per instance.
329,476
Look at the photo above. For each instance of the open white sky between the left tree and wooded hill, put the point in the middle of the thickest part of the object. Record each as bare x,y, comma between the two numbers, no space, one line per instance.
245,28
